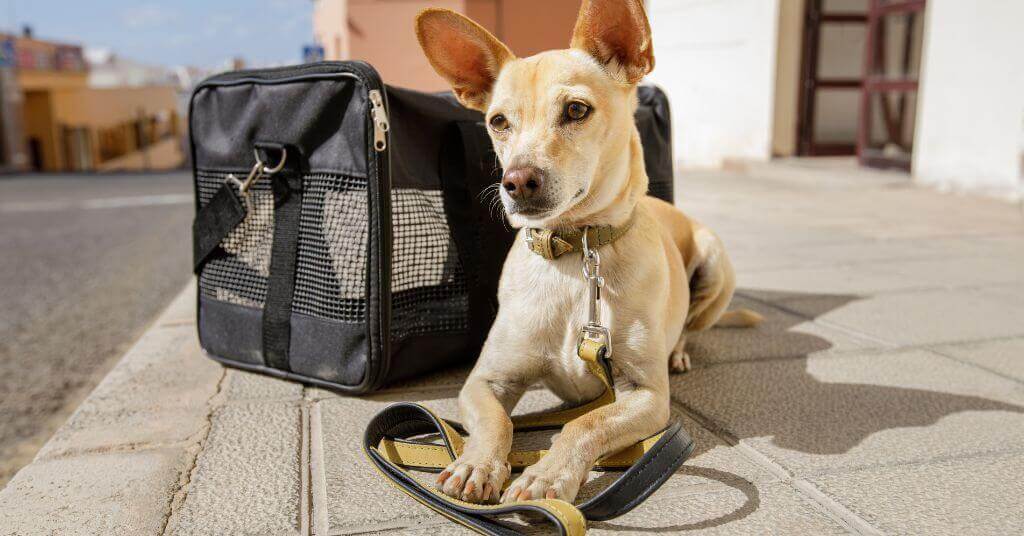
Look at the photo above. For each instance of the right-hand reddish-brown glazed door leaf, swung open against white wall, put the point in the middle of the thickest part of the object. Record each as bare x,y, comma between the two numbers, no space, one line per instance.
889,97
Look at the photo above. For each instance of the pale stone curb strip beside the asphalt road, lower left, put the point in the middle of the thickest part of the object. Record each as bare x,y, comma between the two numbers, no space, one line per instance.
121,461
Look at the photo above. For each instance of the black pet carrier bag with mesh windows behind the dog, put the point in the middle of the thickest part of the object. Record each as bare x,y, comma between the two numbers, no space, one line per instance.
342,238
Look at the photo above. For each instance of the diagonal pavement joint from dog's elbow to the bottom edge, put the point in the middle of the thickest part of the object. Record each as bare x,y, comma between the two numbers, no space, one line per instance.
831,508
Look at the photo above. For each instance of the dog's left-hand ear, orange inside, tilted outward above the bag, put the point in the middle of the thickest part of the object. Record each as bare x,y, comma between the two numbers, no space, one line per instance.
462,53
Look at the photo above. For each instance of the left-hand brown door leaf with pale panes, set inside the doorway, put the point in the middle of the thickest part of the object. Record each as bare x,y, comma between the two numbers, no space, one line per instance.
832,68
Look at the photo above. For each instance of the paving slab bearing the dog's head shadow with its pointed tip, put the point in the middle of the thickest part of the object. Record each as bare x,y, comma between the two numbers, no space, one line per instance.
856,410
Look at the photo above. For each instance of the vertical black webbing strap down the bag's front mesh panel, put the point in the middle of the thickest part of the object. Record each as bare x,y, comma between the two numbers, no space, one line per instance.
281,284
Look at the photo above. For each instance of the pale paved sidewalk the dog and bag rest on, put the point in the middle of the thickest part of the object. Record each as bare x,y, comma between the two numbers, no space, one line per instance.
885,394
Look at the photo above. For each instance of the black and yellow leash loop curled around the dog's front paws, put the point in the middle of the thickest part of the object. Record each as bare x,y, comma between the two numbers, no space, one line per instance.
646,476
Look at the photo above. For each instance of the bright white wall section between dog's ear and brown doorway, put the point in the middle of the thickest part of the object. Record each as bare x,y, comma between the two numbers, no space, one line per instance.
716,60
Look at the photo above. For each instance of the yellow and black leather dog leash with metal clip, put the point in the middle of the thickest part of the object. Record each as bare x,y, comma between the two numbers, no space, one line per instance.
390,444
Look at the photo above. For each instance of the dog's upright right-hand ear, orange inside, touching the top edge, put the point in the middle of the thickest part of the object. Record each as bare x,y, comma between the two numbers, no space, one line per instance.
618,35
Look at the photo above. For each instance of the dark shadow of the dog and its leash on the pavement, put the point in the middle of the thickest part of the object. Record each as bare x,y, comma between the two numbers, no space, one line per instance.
818,418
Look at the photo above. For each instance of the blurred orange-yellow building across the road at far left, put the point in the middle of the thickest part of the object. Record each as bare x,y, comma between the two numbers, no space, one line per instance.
55,120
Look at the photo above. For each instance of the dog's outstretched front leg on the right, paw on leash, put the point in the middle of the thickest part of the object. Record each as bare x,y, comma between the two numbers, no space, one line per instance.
638,413
